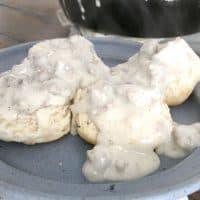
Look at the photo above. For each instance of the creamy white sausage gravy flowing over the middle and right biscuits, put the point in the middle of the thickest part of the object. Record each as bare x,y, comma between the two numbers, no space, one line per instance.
134,123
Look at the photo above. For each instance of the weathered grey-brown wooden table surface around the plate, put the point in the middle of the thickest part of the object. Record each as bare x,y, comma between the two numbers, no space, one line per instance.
28,20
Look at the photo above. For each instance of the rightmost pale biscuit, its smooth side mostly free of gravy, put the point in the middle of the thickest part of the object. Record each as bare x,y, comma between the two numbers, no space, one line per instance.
177,67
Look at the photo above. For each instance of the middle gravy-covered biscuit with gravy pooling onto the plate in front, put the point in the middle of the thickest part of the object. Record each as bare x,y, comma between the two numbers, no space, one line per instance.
130,122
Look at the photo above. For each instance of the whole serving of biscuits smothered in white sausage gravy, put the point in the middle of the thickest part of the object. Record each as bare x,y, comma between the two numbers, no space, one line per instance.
64,86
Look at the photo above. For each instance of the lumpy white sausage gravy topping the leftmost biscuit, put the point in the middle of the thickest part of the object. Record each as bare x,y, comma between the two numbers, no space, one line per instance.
49,76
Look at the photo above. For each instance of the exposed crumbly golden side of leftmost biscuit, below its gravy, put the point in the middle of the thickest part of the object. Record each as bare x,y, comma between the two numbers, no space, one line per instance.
44,125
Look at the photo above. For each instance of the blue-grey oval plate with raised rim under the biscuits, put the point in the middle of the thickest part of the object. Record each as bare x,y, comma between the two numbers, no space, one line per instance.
53,171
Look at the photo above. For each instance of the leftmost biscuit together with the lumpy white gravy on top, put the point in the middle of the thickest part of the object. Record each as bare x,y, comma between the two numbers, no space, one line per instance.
36,94
